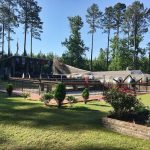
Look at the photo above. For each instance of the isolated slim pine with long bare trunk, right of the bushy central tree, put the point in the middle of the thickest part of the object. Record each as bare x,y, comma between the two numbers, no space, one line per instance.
93,18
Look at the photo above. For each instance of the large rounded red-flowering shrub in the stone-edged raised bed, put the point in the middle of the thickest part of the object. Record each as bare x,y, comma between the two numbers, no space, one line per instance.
122,102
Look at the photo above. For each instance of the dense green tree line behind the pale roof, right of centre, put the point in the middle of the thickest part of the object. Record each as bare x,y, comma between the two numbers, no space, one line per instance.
125,27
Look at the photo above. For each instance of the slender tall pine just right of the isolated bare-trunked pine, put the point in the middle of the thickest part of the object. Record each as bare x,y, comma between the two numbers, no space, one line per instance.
107,25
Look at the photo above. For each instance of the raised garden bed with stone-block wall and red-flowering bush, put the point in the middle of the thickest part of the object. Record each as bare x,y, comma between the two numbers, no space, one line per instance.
129,115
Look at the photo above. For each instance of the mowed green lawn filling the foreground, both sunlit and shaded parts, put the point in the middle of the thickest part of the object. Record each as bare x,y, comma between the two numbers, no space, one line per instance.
31,125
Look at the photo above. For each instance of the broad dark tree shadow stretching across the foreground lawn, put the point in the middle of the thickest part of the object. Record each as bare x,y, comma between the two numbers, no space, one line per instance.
38,116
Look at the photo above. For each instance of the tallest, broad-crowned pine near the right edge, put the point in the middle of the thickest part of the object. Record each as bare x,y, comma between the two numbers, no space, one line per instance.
139,26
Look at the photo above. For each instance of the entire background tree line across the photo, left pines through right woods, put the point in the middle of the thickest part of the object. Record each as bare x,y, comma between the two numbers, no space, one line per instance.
125,27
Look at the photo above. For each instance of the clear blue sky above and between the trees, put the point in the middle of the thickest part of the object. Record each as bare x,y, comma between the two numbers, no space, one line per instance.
56,26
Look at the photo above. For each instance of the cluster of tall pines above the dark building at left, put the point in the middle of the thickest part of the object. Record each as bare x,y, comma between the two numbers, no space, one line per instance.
14,13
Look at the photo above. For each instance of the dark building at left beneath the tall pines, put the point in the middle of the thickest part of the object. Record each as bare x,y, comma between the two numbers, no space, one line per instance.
17,66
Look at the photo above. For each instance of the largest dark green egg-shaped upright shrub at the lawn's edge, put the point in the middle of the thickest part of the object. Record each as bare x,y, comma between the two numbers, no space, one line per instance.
60,94
